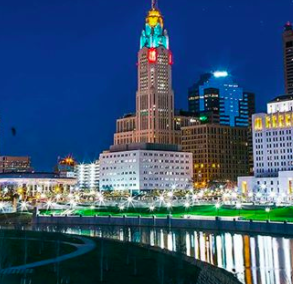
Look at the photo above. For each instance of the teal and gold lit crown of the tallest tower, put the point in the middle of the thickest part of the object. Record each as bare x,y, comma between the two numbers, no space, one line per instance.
154,34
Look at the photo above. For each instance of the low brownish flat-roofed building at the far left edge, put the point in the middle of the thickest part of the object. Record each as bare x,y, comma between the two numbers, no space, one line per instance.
11,164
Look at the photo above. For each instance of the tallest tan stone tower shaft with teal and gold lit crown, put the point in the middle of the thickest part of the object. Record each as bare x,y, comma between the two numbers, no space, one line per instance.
155,97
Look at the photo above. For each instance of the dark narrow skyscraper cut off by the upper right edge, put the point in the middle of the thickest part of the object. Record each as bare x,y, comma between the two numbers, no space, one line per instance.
288,57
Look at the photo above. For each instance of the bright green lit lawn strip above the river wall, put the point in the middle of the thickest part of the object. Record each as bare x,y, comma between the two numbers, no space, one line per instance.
260,214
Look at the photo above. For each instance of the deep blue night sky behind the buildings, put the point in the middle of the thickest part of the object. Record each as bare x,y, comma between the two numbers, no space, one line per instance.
68,67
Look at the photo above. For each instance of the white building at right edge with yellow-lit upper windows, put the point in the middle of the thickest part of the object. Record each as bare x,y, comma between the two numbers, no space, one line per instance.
273,153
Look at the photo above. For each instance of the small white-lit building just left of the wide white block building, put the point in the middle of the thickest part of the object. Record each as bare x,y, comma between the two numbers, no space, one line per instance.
88,175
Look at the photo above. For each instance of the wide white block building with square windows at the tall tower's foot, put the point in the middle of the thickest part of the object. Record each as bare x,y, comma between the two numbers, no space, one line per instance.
145,167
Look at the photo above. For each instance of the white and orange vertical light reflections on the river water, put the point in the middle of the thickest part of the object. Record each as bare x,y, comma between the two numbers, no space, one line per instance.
254,259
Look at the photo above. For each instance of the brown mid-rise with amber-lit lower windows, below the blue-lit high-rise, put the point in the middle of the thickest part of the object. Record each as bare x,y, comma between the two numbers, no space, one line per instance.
219,152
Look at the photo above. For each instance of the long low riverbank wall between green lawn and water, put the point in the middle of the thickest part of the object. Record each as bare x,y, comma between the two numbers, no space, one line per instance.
241,226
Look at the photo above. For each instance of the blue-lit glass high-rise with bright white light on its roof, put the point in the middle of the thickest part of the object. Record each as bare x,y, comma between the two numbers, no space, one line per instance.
217,93
